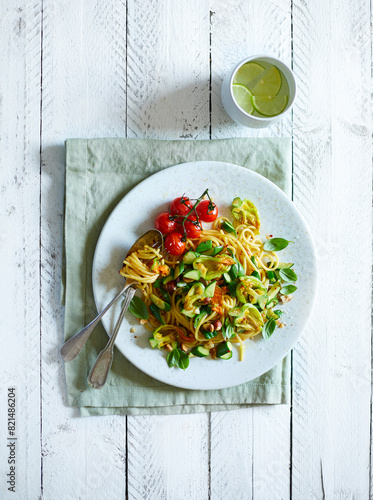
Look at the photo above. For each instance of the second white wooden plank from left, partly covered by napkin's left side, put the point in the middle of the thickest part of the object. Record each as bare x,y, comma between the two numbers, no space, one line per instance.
84,53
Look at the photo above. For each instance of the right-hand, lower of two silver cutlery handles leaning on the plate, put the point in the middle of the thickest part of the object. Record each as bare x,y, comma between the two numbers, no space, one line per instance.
100,370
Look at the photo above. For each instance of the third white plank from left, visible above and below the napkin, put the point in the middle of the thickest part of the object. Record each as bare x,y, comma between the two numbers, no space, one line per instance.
168,98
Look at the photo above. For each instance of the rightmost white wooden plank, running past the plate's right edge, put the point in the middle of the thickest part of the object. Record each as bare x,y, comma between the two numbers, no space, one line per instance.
332,188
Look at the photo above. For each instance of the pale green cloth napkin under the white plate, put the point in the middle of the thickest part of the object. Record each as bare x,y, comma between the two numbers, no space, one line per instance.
99,173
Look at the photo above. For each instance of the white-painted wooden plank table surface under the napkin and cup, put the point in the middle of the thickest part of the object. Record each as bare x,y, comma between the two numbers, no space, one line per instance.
153,68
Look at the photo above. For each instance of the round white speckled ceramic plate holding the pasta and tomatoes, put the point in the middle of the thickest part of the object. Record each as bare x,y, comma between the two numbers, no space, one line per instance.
136,213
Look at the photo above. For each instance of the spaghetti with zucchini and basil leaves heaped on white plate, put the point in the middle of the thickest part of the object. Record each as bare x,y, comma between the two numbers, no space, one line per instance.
221,290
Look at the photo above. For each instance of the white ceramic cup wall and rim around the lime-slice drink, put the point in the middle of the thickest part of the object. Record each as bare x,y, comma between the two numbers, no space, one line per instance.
239,115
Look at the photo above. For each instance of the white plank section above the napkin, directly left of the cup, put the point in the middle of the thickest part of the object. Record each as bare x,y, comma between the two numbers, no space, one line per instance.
168,72
